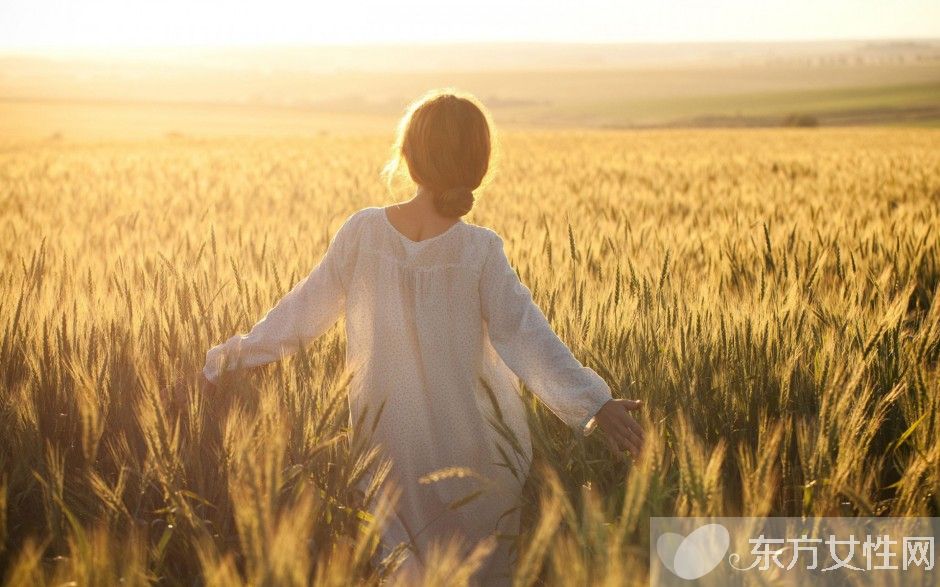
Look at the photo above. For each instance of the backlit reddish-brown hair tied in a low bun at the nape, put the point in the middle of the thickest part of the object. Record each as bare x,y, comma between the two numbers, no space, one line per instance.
447,142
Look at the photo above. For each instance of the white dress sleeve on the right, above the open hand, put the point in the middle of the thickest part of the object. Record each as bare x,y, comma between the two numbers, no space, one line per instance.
525,341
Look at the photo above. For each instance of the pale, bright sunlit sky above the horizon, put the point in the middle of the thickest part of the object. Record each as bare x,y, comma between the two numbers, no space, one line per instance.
52,24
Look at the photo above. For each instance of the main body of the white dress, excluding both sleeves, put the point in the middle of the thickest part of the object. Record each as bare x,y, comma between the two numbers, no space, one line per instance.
418,348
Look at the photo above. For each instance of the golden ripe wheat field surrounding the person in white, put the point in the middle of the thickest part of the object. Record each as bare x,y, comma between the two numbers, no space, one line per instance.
771,294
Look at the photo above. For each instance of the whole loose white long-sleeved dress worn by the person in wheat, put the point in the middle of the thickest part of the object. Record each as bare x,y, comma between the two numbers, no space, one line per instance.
426,323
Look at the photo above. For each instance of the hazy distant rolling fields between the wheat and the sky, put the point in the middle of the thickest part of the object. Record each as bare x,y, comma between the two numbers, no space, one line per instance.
296,91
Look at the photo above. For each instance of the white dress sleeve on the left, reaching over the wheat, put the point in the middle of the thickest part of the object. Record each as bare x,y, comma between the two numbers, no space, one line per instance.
313,305
